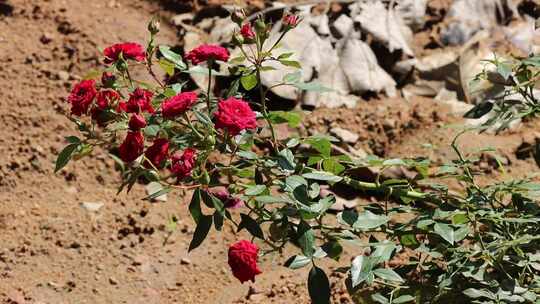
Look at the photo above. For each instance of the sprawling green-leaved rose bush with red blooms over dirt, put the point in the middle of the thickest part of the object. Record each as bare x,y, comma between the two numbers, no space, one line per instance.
479,245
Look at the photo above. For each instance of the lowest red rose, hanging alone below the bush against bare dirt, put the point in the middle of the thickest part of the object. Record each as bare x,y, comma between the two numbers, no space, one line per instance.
243,260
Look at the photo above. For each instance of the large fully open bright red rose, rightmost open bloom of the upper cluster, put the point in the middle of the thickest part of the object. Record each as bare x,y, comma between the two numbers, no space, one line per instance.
235,115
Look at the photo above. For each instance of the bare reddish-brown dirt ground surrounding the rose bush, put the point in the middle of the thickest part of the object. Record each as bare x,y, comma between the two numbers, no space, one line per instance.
53,251
